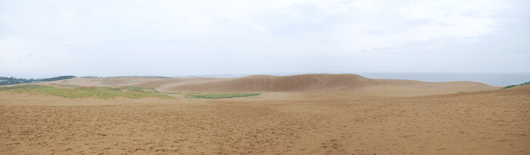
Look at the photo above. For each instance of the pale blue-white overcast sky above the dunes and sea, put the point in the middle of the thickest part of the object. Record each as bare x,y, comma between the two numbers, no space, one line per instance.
177,37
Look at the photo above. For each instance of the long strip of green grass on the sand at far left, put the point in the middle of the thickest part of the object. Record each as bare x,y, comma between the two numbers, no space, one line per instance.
85,92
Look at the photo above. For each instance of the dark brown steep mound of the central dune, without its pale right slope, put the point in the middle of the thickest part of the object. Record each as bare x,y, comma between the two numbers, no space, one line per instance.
295,83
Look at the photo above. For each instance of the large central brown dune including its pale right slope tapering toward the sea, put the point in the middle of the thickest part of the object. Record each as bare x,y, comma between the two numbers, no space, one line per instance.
329,83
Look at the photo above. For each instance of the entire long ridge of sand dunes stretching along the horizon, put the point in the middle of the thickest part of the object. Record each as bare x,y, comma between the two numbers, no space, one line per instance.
309,83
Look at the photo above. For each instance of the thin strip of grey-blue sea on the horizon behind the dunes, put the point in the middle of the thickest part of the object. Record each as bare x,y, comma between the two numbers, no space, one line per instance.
494,79
